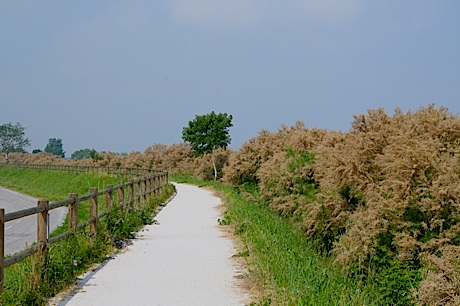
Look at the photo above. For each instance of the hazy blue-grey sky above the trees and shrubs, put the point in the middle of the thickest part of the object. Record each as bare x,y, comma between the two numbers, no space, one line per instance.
121,76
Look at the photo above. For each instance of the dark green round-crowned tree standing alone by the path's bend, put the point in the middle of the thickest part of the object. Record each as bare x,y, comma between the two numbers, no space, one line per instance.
208,132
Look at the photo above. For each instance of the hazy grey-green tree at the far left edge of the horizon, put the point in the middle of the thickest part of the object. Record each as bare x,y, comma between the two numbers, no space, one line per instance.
12,139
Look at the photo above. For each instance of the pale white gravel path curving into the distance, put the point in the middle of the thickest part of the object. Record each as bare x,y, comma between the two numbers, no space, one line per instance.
184,259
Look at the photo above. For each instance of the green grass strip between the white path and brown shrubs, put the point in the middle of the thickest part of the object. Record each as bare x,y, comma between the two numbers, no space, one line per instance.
286,268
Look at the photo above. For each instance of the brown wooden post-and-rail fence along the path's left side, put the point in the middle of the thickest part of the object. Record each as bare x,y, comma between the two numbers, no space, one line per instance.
138,190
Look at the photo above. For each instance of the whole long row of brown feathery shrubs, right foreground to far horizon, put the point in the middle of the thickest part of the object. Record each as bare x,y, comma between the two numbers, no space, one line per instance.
381,201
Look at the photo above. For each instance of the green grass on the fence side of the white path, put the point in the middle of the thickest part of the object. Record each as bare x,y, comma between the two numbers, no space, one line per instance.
31,282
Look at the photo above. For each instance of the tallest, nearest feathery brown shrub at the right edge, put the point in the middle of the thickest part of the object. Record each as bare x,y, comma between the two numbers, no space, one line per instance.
402,174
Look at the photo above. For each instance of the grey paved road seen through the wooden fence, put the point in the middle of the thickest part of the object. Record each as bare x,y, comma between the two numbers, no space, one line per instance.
23,232
